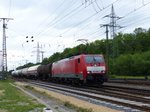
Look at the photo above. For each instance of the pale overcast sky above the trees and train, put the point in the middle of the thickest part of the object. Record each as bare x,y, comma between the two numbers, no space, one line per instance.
58,24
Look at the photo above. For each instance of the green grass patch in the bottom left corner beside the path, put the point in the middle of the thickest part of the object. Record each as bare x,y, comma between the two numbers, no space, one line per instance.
14,100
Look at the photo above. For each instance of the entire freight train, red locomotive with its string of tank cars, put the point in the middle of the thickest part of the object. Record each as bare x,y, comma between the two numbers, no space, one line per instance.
84,68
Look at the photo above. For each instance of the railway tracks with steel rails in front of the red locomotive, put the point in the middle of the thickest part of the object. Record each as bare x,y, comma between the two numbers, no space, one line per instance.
127,99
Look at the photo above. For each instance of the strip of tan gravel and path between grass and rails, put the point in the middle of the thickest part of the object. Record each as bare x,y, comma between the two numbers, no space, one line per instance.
55,100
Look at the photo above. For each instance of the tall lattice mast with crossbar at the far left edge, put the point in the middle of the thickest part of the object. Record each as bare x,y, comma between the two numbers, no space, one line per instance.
4,50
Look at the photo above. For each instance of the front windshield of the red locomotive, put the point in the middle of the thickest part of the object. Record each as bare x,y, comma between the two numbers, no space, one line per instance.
94,59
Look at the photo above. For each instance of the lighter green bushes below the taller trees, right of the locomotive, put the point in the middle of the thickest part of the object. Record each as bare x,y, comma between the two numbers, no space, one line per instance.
131,64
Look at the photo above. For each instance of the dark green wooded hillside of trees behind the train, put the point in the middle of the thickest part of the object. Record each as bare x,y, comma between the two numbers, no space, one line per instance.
129,53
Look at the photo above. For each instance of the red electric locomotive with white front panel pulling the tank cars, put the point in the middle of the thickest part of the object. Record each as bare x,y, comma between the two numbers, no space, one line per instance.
81,69
